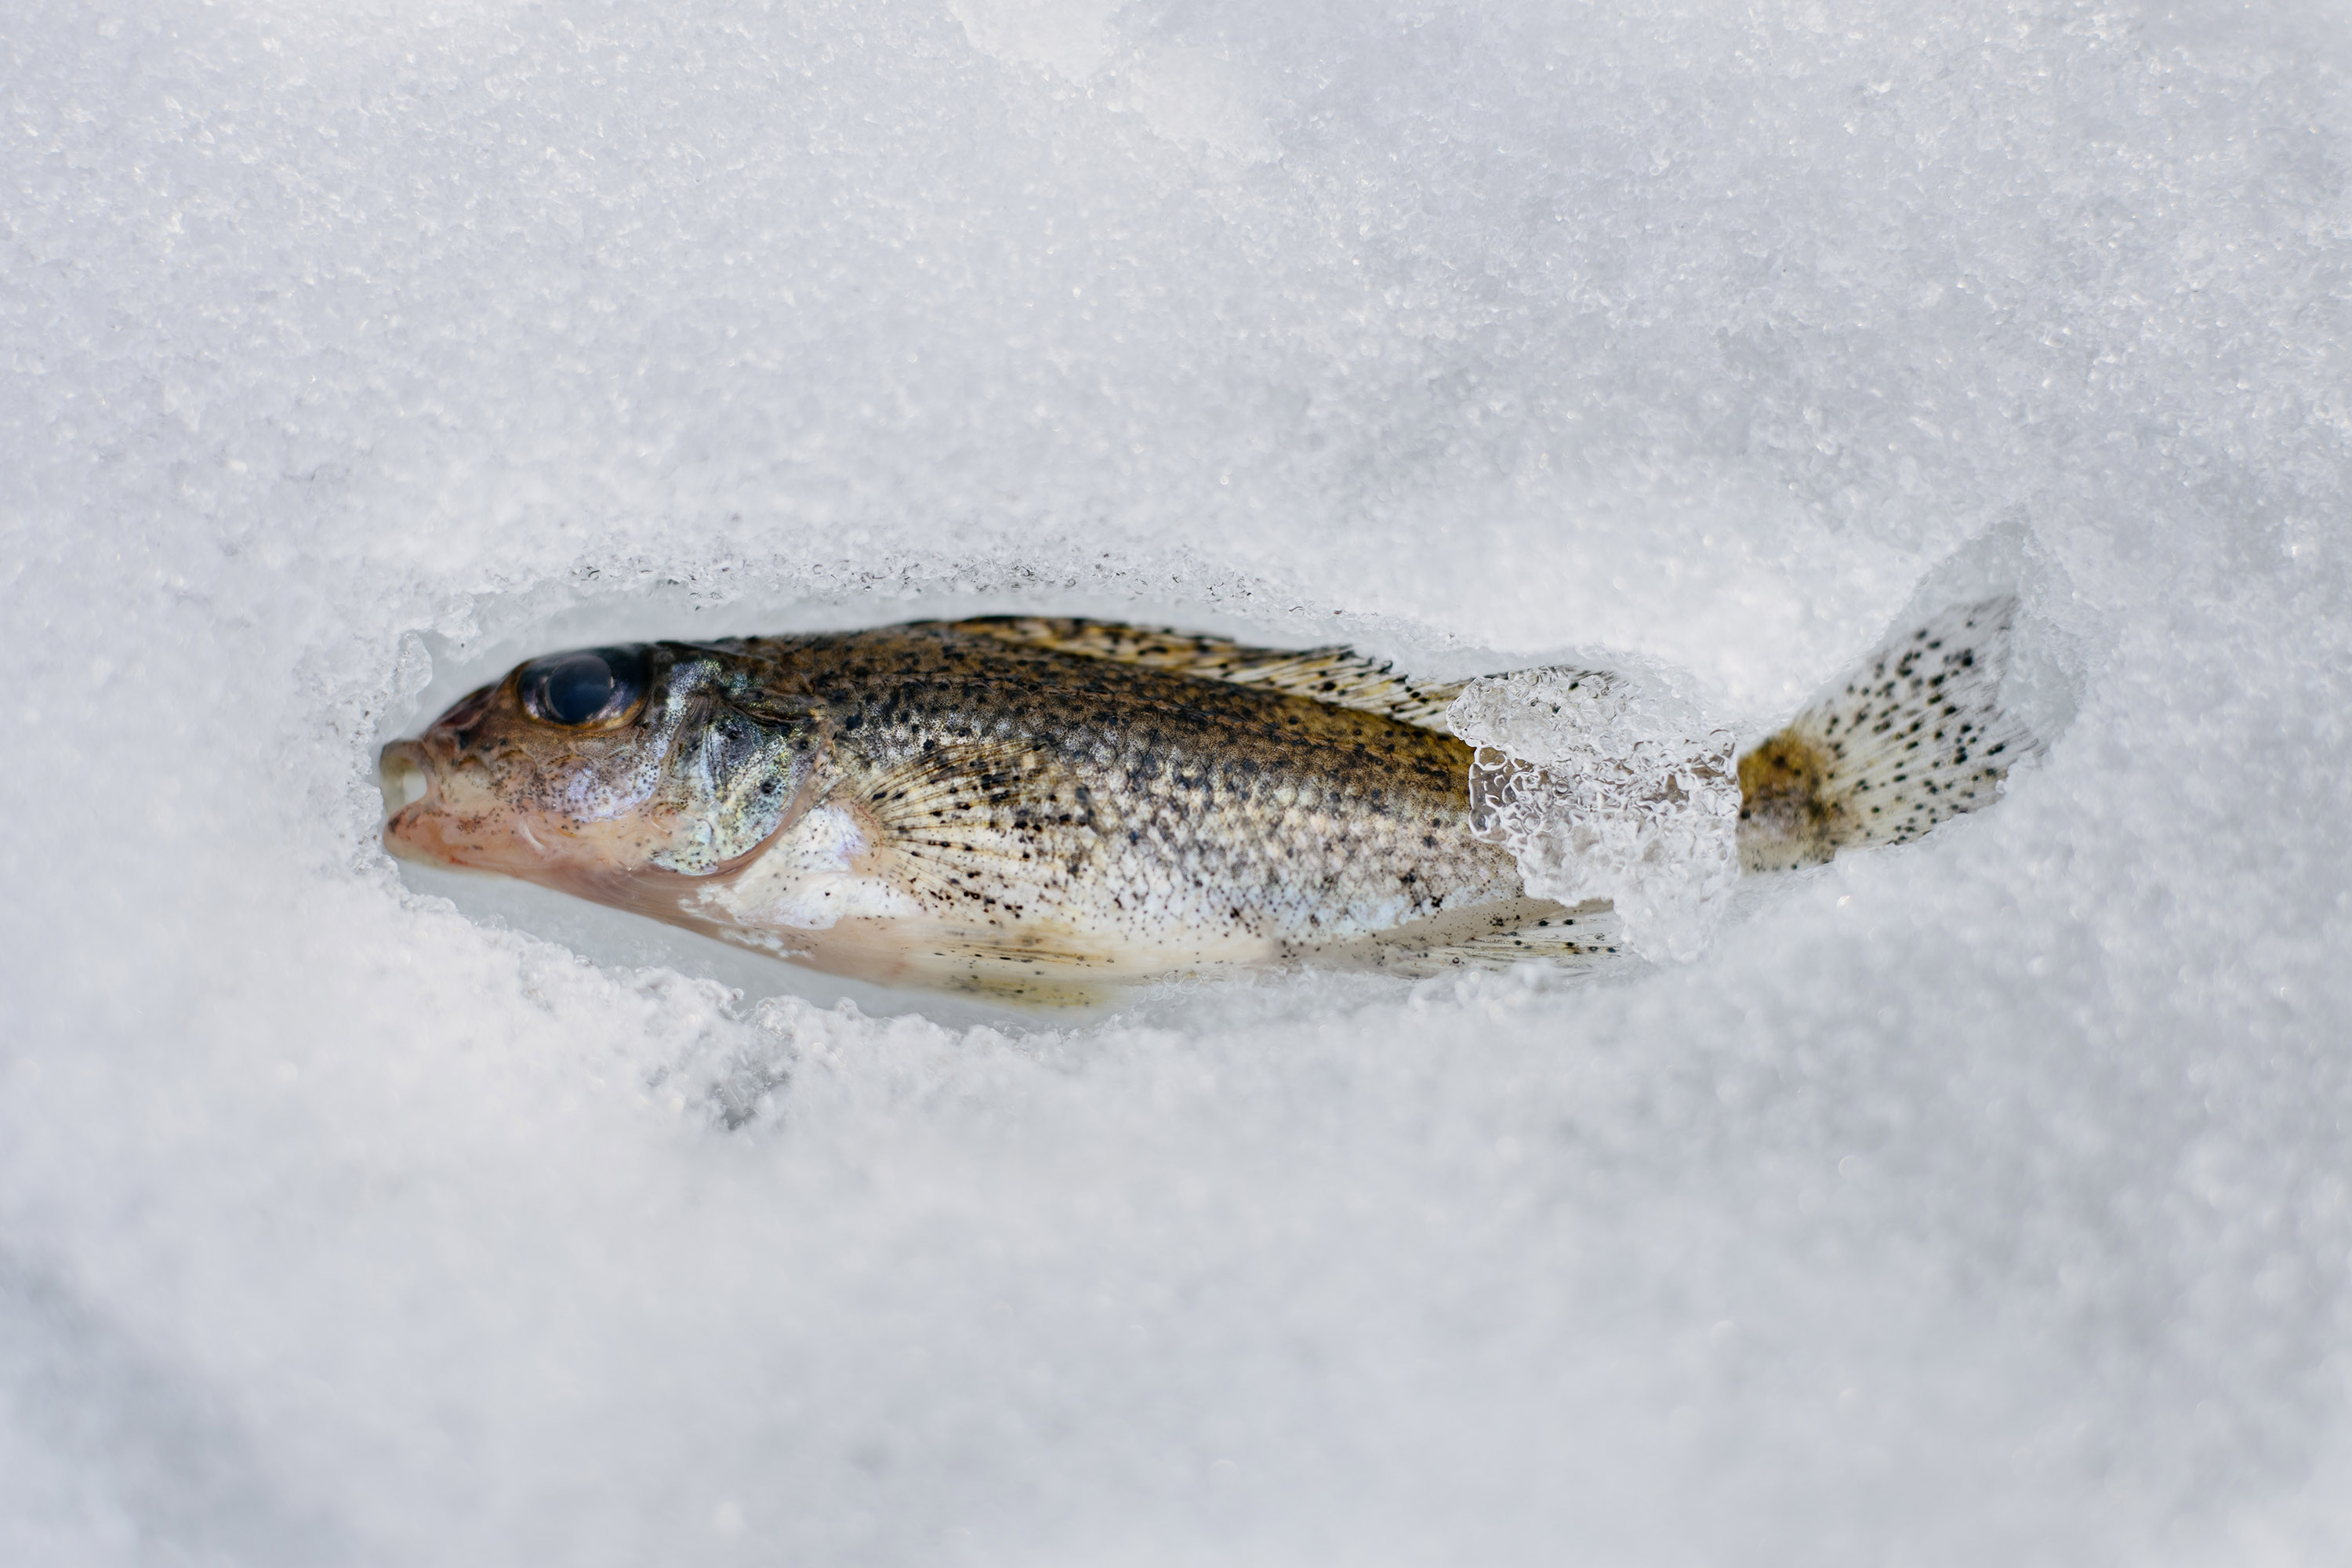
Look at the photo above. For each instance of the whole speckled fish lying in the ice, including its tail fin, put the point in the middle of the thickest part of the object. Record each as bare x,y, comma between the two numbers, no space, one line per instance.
1048,810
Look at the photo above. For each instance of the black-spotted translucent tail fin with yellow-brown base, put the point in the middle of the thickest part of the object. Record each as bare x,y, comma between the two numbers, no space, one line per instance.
1916,737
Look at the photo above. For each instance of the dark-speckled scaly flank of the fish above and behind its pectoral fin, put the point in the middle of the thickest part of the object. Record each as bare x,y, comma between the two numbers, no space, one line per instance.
1210,805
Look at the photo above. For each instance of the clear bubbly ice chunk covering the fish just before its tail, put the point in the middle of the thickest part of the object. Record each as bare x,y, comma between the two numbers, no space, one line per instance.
1608,789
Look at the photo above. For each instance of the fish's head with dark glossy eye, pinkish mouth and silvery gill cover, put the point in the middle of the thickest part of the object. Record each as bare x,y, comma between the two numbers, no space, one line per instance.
617,775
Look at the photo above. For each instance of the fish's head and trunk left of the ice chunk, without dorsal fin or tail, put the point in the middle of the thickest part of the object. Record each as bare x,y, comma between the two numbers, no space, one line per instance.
951,808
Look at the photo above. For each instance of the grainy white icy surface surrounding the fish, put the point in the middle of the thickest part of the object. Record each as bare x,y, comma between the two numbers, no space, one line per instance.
1972,1202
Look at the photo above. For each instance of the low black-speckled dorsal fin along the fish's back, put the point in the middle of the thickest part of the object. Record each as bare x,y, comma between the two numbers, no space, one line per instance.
1342,678
